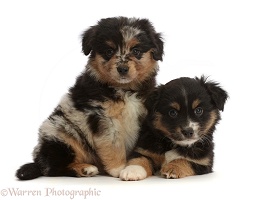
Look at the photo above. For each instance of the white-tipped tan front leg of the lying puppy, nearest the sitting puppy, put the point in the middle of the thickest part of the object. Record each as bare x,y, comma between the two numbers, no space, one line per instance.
137,169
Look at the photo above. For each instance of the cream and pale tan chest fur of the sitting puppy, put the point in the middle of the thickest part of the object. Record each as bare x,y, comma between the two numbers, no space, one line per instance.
123,118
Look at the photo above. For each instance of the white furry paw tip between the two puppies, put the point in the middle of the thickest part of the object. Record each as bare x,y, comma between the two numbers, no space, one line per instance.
133,173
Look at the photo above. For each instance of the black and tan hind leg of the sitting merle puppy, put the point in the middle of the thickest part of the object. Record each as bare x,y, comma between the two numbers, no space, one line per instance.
57,158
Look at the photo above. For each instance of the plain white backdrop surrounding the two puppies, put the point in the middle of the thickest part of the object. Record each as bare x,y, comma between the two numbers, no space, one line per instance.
40,57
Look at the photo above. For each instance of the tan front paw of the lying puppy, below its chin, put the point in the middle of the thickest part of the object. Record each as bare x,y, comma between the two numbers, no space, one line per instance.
179,168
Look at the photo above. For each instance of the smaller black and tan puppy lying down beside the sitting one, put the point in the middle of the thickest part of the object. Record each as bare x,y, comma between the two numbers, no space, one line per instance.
177,135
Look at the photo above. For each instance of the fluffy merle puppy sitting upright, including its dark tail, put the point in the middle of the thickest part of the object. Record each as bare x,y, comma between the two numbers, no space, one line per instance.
96,124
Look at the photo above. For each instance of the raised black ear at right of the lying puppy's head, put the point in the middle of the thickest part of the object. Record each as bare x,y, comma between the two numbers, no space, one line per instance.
218,95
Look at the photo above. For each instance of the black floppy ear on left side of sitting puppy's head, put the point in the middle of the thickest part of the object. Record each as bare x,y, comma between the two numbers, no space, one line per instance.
88,40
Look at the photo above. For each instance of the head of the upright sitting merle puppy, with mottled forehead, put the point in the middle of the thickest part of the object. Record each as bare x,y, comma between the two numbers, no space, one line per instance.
122,50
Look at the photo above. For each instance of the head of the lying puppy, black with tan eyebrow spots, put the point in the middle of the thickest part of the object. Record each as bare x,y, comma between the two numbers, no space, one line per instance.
186,110
